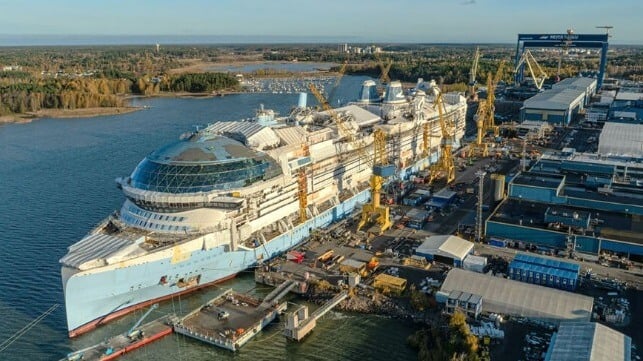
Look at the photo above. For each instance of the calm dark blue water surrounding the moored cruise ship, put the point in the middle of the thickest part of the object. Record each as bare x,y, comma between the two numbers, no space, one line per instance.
57,181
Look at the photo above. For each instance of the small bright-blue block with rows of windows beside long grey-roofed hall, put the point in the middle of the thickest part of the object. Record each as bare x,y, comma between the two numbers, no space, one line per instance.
544,271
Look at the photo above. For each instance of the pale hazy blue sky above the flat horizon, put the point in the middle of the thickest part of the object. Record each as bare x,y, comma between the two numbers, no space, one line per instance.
426,21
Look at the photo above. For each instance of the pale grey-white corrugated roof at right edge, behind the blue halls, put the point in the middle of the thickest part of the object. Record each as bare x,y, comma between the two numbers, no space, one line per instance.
621,139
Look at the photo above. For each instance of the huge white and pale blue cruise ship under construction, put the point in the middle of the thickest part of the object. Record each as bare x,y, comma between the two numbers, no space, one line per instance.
225,198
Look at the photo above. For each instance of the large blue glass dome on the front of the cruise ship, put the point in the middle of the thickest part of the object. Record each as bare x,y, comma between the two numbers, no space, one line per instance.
202,164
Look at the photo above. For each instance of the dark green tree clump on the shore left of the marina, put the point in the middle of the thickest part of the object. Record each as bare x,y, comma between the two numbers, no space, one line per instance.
201,82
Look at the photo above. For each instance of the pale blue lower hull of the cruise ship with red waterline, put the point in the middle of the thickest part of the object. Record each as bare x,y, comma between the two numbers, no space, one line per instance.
97,296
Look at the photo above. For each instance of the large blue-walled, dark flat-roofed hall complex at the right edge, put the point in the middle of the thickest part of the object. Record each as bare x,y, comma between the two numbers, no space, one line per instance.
578,202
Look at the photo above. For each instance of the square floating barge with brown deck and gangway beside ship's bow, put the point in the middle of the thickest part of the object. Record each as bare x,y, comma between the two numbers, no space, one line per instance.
232,319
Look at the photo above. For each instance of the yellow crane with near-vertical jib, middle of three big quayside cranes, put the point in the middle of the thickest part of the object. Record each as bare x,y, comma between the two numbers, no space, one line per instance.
445,164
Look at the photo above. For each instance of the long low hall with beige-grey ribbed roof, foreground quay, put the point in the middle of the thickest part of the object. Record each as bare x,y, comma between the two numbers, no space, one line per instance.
502,295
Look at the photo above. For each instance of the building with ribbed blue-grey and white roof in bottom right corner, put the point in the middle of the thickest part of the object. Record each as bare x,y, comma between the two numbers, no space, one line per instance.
588,341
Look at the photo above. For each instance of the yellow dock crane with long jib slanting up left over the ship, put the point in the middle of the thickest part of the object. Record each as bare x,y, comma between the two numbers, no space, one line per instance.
379,162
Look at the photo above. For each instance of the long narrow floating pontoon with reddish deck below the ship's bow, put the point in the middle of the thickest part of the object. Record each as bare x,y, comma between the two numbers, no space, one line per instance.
121,344
